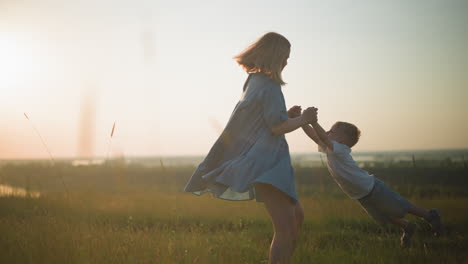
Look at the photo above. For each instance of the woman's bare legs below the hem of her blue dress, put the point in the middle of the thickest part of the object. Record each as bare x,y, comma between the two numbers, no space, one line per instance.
282,211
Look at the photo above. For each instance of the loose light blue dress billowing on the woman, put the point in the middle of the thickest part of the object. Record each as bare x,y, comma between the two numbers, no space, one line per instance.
247,152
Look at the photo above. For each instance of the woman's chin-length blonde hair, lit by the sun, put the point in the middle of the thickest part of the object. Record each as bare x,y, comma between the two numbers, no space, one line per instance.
267,55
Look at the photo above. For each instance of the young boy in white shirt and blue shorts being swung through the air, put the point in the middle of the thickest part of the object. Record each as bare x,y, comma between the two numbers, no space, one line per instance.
383,204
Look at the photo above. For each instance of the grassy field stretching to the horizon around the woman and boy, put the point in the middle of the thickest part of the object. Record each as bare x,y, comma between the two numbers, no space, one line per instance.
123,214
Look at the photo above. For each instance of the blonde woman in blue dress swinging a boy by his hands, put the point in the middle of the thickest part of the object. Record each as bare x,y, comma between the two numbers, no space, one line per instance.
251,157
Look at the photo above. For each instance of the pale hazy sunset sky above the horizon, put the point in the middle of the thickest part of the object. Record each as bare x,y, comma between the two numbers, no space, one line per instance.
163,71
